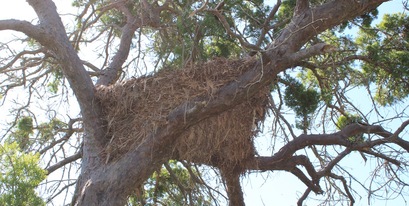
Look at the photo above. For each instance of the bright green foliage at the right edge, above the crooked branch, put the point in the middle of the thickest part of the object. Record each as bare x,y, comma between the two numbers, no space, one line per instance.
387,47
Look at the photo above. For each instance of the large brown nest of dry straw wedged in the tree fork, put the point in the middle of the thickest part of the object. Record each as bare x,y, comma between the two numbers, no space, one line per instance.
135,108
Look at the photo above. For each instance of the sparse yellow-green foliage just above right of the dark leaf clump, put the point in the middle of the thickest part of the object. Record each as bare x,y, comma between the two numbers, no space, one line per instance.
332,73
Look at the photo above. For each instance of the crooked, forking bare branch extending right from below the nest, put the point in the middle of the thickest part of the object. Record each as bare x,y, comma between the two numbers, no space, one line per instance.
284,159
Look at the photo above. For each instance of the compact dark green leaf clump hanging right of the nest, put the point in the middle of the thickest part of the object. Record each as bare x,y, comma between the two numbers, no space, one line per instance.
304,101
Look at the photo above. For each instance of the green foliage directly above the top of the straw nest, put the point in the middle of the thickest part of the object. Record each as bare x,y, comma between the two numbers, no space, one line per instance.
196,38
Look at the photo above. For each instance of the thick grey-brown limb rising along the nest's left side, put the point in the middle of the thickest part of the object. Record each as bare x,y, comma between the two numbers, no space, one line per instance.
55,39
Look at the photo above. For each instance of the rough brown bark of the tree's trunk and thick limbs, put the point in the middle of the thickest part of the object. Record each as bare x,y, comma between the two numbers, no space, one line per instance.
109,184
